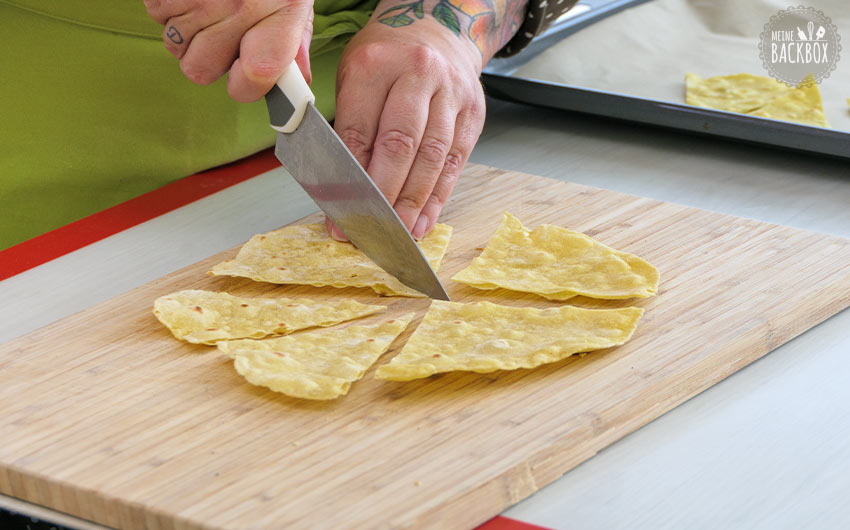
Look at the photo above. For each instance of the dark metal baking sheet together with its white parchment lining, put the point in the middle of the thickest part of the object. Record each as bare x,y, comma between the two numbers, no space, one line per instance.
593,72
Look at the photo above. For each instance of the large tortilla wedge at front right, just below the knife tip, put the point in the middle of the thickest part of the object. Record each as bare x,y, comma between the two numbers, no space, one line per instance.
484,337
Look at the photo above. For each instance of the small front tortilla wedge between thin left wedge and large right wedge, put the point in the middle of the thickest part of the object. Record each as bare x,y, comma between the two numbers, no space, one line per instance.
319,364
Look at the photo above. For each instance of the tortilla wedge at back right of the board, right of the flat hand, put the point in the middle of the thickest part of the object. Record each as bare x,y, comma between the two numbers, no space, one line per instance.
558,264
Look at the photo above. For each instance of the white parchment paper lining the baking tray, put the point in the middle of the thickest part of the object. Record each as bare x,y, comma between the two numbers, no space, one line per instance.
646,50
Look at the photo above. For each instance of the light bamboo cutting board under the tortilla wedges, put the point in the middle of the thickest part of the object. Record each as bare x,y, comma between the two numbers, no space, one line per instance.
105,416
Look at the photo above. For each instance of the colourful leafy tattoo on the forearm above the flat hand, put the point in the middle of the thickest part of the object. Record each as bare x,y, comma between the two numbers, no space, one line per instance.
489,24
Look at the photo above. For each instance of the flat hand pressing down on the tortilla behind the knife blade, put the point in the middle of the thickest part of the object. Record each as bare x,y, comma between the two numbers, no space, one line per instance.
410,108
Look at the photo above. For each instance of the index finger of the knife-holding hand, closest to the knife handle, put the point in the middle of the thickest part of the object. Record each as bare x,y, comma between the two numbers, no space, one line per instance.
266,50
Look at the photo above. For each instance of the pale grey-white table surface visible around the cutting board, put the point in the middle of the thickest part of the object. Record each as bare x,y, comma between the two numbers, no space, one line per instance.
766,448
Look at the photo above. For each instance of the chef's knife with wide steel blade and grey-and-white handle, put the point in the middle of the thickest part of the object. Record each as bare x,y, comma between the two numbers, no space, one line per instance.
311,151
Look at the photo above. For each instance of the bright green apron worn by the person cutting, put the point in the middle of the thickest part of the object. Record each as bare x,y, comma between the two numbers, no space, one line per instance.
94,110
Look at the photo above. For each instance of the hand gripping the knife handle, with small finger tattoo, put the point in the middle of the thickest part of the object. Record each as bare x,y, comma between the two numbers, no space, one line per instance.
254,39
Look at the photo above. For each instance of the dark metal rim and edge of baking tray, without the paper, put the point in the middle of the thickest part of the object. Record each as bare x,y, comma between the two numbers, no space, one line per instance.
500,80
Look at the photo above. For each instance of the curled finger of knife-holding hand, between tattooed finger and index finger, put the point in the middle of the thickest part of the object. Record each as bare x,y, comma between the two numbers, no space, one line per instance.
212,51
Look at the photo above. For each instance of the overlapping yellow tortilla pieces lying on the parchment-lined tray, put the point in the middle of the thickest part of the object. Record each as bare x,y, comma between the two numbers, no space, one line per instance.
758,96
